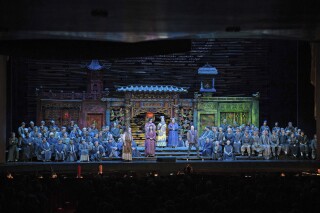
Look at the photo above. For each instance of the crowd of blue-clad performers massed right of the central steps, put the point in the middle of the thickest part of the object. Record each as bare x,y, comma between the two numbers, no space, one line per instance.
227,141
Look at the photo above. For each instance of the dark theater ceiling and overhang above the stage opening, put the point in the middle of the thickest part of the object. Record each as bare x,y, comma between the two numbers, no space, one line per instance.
149,20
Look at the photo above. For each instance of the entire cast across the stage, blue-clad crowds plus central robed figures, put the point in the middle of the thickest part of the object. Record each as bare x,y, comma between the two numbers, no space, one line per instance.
46,143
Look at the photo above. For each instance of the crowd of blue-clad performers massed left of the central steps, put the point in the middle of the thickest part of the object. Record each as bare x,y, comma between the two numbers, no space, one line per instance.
47,143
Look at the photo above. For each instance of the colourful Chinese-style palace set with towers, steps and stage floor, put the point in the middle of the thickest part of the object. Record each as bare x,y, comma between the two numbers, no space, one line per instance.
142,102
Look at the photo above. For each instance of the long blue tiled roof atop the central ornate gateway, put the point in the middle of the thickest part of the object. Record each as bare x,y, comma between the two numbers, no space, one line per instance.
152,88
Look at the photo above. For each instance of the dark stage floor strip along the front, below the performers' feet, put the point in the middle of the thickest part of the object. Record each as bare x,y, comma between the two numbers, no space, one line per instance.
143,167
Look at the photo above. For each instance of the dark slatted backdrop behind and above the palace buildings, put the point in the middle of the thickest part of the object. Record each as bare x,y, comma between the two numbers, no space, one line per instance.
278,69
